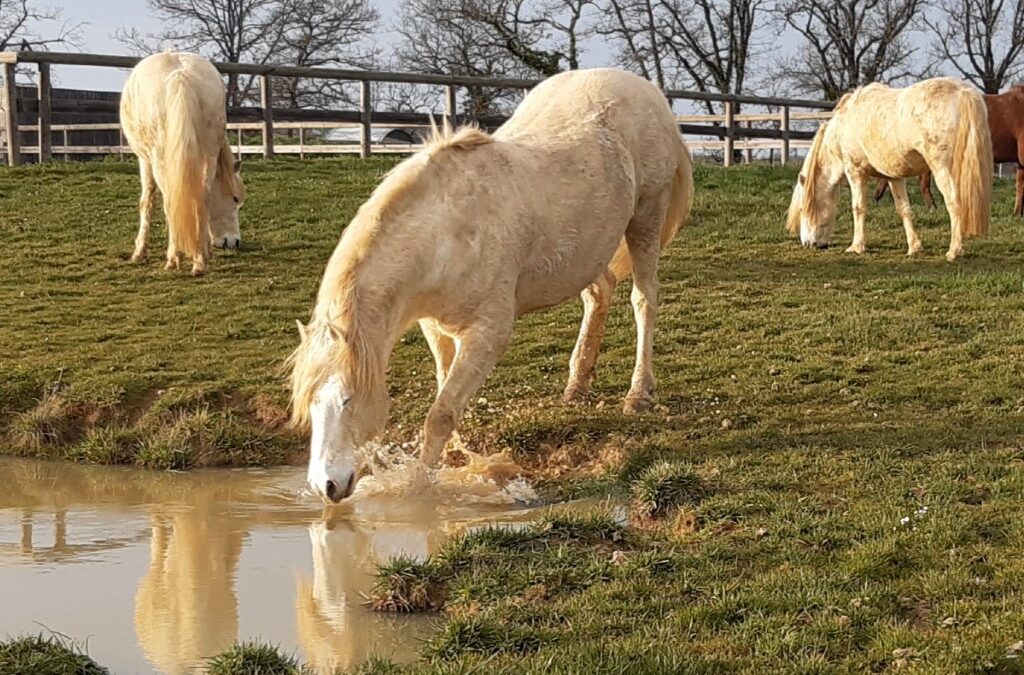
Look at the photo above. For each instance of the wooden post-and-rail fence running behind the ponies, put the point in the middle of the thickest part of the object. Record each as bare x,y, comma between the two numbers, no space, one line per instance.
731,133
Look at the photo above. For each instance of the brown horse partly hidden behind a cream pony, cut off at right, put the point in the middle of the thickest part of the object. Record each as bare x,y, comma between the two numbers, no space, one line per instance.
1006,121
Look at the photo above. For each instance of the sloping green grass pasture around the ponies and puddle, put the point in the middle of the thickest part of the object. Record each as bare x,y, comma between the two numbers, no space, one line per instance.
833,481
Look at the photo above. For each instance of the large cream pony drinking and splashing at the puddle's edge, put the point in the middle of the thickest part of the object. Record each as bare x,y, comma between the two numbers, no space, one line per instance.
588,182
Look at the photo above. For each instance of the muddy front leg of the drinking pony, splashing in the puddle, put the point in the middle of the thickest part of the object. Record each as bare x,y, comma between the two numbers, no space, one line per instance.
480,349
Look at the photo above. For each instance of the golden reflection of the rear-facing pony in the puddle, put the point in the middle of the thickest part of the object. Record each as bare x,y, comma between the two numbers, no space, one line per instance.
186,608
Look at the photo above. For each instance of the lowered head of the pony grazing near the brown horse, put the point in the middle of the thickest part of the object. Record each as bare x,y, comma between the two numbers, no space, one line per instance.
813,209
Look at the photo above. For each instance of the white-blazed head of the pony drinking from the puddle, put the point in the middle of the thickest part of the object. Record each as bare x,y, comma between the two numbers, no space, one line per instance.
346,405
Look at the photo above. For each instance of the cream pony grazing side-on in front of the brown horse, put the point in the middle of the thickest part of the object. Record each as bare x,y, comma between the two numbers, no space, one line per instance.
940,125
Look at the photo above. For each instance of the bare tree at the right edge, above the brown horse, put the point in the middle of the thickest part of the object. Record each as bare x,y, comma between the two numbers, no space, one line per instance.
982,39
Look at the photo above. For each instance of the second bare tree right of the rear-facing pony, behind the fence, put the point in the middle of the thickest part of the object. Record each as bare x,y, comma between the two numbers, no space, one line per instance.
325,33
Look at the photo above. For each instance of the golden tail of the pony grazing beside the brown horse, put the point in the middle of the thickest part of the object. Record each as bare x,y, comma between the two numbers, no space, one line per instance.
972,165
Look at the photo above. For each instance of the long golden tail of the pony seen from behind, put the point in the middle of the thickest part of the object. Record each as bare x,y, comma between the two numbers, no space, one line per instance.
184,168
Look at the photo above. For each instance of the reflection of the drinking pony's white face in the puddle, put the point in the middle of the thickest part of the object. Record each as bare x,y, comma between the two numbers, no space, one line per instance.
336,630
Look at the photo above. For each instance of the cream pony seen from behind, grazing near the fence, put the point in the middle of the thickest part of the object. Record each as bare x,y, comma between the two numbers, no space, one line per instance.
175,117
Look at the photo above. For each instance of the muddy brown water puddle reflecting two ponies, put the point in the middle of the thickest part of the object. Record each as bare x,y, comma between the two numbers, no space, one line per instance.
157,572
